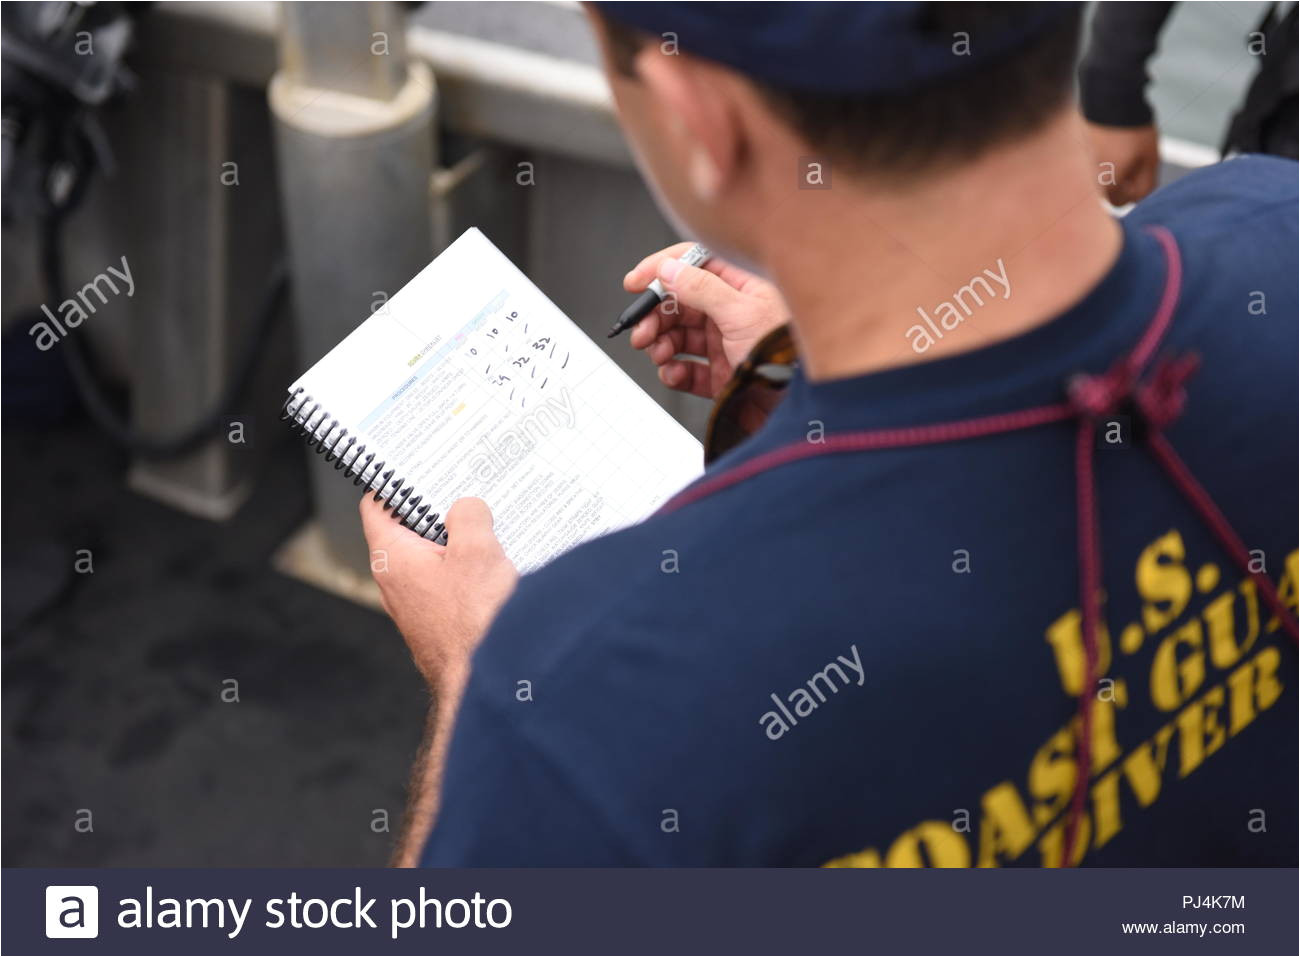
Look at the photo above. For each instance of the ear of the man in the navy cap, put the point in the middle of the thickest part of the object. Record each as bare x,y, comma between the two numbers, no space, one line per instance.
697,116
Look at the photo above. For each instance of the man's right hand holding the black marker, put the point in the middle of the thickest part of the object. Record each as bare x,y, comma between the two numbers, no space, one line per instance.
717,313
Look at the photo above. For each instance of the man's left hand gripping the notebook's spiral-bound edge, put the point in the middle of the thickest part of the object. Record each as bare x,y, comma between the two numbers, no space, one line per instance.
443,599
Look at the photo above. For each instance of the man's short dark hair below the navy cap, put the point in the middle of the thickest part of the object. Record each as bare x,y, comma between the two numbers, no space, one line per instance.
939,125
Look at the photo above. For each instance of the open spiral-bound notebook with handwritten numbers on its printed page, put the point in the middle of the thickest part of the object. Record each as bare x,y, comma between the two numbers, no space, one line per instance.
470,382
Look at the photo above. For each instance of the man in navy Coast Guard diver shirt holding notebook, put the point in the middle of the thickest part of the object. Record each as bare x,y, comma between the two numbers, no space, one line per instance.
860,640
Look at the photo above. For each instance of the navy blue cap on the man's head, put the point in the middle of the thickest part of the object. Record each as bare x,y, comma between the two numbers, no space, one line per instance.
834,47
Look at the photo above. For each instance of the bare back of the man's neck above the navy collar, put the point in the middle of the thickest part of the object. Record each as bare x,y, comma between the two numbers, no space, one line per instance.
879,279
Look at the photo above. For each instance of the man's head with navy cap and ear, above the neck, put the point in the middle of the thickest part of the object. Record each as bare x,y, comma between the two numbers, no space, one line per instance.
722,102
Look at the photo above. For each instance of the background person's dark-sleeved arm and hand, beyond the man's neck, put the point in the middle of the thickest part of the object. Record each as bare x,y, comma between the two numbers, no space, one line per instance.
1113,93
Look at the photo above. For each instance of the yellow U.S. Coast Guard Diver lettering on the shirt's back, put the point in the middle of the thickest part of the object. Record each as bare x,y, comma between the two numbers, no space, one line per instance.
1224,634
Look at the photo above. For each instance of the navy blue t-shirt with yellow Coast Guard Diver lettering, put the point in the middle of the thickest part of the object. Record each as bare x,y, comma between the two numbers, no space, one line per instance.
868,659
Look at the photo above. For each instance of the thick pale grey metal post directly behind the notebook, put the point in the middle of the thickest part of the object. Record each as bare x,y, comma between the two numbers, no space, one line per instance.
356,144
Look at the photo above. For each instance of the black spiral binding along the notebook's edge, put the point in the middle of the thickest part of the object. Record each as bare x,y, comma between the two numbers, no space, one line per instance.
326,438
